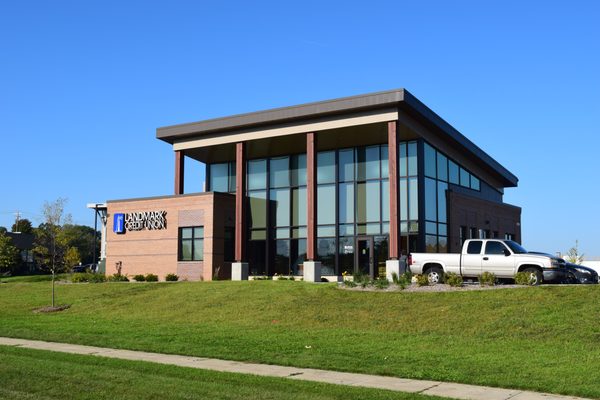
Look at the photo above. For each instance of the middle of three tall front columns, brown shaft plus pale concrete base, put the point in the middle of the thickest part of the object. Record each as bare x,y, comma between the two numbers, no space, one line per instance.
312,268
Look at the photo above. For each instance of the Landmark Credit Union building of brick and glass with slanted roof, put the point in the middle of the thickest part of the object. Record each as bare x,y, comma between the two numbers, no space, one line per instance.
314,190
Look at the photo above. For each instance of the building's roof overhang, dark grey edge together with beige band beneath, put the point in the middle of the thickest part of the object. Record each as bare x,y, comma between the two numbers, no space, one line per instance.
324,115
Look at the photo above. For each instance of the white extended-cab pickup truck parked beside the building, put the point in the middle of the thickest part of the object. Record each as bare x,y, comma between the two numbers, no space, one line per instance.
504,258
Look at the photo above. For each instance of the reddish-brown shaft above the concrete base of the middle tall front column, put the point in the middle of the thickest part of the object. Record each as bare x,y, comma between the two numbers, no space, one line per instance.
311,201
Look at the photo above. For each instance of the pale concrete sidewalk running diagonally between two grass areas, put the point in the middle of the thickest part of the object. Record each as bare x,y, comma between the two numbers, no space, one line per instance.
434,388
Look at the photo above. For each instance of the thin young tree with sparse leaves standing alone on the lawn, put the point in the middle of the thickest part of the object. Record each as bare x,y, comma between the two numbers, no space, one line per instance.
51,246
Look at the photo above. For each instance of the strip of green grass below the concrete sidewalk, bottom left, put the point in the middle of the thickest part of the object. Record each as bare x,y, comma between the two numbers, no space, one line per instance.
35,374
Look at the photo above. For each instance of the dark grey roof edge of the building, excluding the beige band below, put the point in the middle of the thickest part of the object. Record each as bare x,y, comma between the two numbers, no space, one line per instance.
400,98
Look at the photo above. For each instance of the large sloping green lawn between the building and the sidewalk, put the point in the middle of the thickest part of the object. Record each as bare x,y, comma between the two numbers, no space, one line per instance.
544,338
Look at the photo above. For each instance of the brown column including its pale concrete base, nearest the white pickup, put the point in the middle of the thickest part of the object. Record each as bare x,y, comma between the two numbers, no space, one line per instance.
393,264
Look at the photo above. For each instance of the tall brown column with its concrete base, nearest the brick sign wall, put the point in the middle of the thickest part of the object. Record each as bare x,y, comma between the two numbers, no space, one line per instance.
239,268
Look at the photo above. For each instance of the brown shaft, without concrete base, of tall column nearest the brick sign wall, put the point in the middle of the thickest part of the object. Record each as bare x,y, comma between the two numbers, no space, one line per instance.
240,201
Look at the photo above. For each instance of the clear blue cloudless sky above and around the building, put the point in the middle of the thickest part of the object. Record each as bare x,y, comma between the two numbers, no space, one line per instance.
85,84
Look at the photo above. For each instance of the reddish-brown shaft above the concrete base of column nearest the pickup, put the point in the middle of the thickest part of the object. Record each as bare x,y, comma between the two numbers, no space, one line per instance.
394,195
